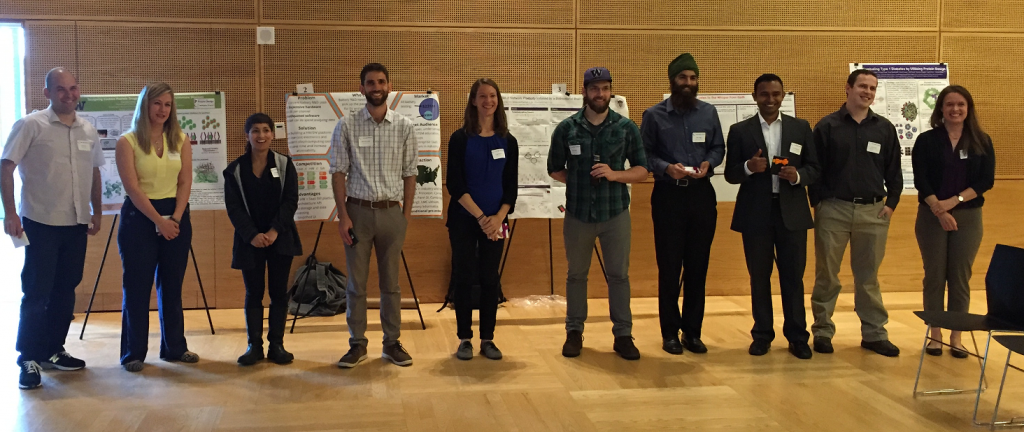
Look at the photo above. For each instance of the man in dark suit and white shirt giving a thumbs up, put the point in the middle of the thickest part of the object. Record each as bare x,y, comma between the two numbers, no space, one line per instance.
772,157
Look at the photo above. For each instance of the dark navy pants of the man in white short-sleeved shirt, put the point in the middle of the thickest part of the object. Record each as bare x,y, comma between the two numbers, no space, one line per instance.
54,265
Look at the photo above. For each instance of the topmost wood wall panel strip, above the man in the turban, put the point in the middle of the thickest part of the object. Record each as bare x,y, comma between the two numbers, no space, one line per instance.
918,15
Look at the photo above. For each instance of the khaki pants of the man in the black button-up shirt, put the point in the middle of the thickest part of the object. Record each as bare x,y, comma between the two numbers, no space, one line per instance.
836,225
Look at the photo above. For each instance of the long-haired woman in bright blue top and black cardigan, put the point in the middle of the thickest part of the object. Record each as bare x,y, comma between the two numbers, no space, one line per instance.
483,181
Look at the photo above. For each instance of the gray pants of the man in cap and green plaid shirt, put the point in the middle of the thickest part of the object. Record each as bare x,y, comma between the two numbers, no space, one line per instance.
580,237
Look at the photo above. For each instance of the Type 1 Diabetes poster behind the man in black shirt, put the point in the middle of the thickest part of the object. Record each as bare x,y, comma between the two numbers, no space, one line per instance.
907,96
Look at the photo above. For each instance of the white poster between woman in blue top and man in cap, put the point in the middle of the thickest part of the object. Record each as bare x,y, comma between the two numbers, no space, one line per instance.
533,119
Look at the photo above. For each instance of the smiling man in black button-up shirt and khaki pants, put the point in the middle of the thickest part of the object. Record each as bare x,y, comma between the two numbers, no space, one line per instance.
854,201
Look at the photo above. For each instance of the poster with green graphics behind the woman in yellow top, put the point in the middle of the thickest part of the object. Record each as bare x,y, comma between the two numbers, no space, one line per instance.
202,117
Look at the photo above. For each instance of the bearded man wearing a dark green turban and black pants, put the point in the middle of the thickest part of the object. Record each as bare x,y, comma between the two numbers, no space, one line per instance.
684,139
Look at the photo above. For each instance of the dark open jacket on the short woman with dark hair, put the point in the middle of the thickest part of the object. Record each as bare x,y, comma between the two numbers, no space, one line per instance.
288,243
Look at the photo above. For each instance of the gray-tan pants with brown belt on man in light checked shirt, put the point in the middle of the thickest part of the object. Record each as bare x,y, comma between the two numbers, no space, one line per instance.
383,230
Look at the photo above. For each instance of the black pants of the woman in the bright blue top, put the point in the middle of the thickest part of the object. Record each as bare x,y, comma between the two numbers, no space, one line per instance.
474,254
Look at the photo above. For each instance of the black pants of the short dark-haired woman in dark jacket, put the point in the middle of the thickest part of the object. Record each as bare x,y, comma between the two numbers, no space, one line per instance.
270,274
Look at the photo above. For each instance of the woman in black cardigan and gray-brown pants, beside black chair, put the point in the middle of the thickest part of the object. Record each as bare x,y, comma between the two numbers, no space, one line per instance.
954,166
